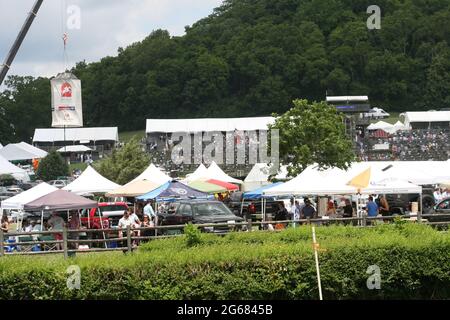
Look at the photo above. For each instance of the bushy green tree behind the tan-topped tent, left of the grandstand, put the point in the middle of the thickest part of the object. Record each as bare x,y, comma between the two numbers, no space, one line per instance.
125,163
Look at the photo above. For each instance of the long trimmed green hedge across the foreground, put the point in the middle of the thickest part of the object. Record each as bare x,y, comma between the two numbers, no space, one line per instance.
414,261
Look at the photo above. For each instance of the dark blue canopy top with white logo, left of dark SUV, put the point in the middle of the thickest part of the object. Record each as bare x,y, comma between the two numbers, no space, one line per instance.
174,190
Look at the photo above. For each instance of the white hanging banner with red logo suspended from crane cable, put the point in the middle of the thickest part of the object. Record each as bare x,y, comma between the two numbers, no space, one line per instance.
67,110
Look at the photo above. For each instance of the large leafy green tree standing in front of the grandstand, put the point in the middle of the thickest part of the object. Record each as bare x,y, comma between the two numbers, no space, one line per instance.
313,133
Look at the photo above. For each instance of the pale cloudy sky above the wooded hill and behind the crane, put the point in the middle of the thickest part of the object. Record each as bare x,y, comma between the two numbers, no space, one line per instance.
104,26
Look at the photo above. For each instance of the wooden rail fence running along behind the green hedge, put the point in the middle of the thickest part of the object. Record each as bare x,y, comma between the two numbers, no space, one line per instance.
71,241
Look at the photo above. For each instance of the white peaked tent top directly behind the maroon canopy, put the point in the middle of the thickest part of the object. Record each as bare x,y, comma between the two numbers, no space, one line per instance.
90,181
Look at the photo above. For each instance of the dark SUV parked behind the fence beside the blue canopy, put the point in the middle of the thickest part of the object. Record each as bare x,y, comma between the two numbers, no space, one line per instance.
202,212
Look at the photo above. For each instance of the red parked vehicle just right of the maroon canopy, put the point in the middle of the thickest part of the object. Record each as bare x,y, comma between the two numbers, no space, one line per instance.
107,214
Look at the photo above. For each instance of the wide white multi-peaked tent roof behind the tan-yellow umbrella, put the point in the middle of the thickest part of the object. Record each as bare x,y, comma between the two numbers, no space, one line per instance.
334,181
